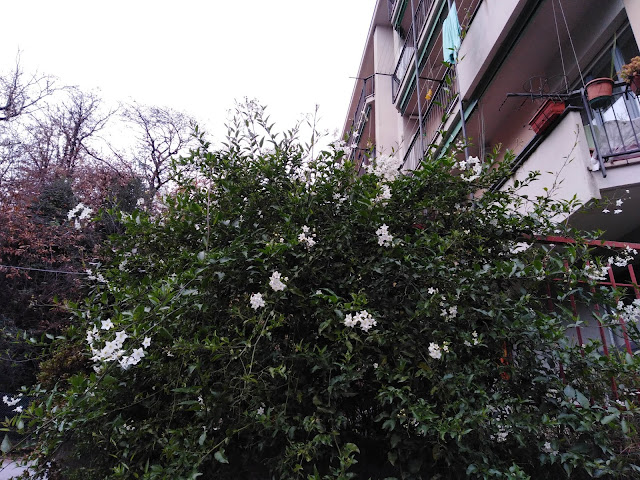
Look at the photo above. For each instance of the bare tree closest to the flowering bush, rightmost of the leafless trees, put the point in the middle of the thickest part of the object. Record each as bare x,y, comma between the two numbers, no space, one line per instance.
161,134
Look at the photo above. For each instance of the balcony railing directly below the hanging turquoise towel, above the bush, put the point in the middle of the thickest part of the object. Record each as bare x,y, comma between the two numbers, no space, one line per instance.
433,119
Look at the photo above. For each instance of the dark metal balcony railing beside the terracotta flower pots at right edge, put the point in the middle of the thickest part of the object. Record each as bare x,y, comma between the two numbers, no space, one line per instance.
616,127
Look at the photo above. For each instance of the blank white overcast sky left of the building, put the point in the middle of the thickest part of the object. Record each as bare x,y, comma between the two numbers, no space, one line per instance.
197,55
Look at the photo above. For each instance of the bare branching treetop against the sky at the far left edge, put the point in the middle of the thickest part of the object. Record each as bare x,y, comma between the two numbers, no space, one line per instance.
20,92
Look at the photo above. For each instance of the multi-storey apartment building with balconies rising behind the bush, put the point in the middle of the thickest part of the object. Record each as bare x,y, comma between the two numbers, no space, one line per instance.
512,57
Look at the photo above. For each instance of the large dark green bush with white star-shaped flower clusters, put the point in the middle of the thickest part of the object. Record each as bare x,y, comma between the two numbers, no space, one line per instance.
289,319
